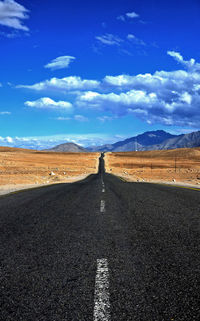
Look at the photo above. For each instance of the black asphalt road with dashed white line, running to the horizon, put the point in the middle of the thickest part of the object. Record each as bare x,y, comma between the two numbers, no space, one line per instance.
100,249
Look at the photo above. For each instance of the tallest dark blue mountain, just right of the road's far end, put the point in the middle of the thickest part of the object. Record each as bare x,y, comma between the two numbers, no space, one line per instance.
136,143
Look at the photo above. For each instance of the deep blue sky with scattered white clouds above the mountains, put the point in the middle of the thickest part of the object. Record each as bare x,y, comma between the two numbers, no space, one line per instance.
94,72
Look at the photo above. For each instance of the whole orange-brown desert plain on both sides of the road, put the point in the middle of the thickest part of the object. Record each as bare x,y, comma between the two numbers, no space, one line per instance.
21,168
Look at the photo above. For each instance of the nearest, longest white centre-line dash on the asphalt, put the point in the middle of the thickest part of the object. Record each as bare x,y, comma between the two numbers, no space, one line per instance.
101,295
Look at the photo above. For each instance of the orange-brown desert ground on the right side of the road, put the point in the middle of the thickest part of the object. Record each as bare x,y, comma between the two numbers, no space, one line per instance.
178,165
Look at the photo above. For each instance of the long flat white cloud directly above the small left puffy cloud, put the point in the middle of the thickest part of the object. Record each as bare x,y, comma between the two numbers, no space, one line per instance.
63,84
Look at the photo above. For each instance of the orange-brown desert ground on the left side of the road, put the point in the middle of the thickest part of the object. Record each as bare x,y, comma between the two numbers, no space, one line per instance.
21,168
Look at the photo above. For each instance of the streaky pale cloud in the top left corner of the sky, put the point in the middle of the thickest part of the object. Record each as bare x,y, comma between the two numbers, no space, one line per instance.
12,15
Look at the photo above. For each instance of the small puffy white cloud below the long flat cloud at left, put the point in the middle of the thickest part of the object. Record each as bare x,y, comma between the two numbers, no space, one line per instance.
48,103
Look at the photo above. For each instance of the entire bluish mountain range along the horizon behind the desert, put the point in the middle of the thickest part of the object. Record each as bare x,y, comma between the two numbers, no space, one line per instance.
152,140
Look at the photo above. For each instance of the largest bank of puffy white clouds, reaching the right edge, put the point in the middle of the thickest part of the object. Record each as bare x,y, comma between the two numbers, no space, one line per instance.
165,97
